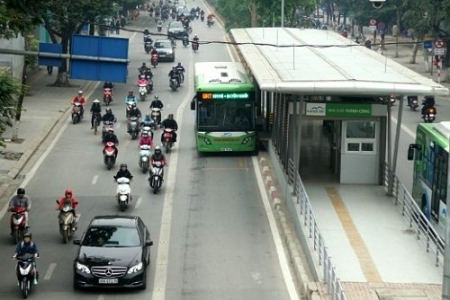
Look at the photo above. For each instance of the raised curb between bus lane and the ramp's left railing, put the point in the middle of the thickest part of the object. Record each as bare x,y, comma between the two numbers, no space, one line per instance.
306,289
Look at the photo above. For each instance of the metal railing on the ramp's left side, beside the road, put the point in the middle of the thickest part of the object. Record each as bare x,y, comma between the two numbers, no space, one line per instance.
309,220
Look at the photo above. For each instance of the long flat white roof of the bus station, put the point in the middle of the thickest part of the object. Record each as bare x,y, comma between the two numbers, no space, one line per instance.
322,62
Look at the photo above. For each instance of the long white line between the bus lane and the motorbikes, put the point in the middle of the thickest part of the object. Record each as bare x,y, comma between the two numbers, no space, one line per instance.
162,257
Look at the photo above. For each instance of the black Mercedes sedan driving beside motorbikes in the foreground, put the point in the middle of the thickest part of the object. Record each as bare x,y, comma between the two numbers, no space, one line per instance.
114,253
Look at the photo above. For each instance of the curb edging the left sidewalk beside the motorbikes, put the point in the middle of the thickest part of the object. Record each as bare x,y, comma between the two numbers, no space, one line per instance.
31,150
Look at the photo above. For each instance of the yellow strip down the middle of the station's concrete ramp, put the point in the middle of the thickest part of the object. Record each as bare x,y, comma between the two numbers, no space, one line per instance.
368,267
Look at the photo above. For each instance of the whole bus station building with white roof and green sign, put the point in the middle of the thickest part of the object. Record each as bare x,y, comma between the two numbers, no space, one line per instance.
324,102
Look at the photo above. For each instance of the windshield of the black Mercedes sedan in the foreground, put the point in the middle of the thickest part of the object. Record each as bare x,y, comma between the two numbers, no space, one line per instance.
111,236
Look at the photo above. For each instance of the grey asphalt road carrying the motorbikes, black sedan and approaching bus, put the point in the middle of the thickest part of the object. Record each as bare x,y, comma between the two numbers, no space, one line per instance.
212,235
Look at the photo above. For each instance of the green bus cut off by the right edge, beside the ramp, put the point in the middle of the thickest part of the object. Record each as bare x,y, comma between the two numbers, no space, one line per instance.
430,155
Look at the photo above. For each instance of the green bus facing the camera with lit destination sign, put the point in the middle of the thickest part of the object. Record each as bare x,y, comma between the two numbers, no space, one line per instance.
224,106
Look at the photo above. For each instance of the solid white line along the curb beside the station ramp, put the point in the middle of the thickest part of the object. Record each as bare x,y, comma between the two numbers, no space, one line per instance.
288,280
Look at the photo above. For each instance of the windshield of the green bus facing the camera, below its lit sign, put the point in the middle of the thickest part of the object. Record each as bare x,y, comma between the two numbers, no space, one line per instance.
225,116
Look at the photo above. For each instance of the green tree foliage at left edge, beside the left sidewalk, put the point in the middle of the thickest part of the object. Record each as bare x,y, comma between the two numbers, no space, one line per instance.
10,89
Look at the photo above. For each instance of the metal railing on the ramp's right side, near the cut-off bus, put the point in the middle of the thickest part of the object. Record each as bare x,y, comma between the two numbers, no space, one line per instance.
416,219
